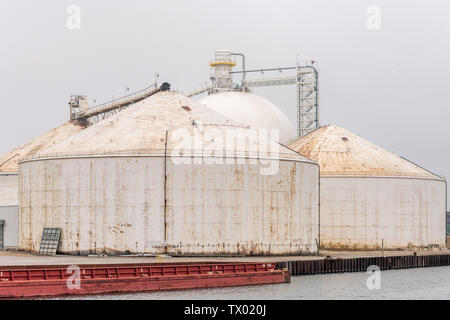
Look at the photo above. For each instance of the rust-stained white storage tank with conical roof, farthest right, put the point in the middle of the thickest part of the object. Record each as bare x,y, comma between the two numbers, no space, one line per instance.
371,197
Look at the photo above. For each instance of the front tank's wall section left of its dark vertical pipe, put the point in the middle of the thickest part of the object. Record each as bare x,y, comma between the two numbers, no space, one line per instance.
101,204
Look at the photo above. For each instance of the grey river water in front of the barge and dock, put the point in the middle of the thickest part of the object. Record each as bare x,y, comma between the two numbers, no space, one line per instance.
420,283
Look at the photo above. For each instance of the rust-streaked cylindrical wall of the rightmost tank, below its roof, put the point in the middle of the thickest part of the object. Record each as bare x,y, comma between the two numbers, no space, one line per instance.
358,212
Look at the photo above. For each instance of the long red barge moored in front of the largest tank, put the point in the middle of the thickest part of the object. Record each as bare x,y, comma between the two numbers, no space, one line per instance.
46,281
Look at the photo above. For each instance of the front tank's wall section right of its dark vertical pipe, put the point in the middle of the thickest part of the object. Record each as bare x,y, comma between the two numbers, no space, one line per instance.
232,209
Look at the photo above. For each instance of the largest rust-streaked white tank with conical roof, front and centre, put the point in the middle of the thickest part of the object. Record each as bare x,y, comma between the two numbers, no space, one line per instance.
158,178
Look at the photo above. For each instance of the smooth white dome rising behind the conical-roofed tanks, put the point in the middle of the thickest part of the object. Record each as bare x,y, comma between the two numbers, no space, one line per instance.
252,110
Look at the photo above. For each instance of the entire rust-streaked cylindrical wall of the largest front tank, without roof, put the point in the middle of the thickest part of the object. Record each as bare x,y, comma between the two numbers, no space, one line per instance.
117,204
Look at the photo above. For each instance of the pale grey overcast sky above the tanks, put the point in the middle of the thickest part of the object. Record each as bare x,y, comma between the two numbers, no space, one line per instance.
390,85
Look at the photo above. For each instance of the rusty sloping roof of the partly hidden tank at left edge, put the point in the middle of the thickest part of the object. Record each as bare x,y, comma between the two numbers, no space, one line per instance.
9,160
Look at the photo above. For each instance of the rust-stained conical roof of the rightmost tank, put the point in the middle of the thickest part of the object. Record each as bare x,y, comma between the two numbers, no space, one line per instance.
341,152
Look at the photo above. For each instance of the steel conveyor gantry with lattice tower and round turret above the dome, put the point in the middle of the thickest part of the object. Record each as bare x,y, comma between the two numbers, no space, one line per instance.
305,79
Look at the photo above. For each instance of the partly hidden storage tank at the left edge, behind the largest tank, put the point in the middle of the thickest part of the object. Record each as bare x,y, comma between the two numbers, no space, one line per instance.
9,169
